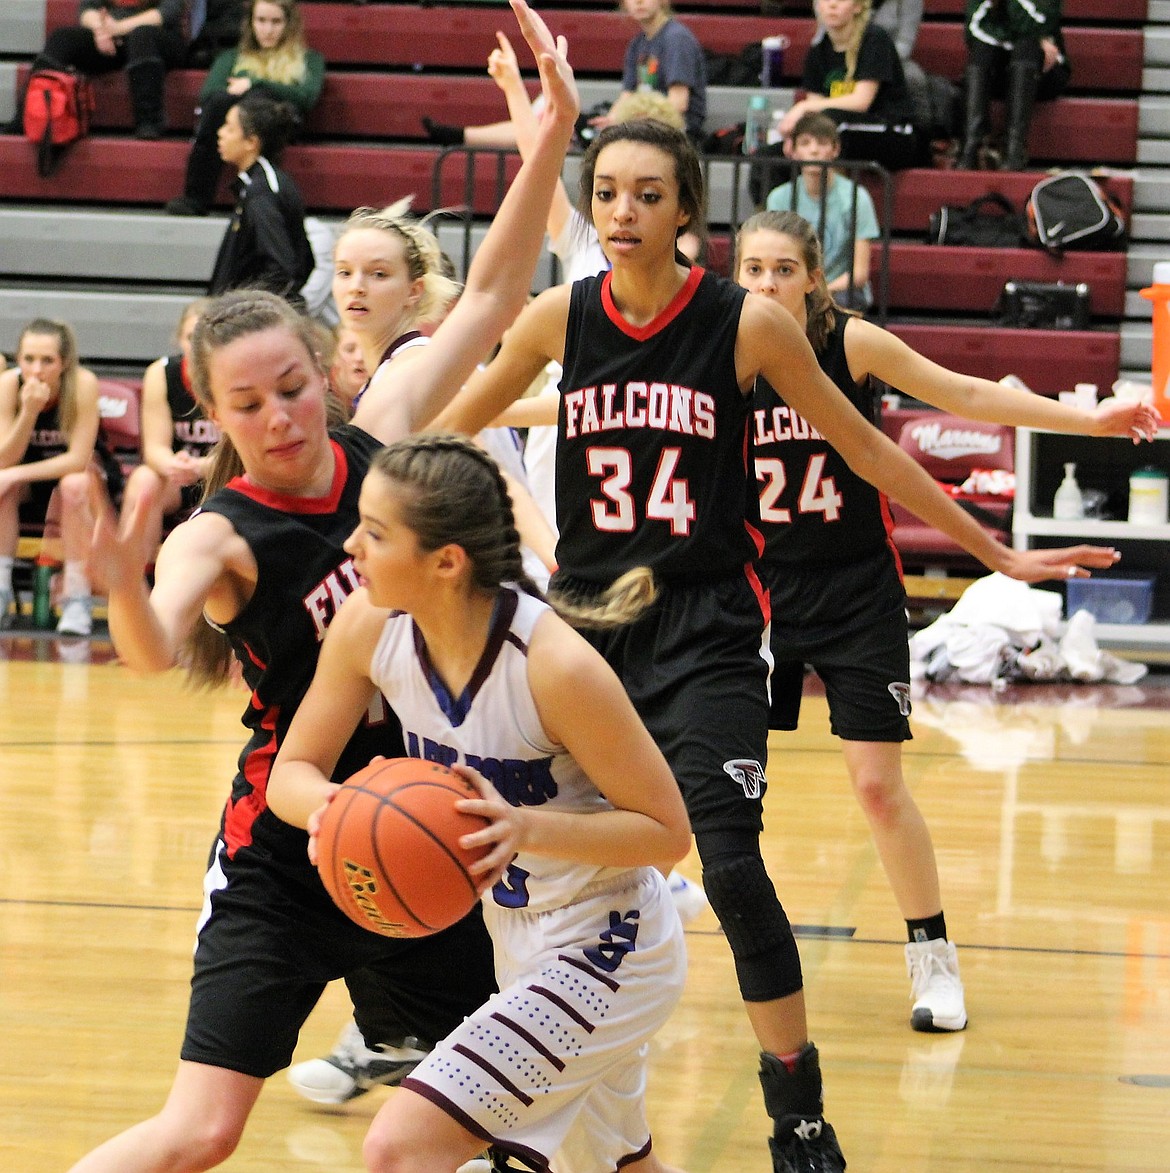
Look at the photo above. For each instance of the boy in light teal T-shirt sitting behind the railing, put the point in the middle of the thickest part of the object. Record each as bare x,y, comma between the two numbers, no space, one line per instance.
846,239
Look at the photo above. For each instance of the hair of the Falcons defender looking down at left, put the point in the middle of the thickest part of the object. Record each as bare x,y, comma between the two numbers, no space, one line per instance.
208,655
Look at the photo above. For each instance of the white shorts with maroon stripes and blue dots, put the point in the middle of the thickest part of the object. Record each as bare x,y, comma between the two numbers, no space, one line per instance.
553,1069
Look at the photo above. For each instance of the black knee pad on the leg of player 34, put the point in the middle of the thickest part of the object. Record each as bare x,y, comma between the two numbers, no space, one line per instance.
758,928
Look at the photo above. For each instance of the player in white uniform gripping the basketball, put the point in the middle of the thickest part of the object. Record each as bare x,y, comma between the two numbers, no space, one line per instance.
590,950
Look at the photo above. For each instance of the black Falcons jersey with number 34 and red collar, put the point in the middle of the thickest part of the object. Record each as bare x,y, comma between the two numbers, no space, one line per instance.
652,439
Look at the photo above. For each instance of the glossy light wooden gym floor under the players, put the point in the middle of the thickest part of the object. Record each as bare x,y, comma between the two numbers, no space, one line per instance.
1051,813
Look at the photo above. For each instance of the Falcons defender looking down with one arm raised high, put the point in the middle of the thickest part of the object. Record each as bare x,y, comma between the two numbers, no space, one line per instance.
263,561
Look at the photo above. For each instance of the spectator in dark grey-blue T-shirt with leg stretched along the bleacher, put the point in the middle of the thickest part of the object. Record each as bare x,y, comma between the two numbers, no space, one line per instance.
662,58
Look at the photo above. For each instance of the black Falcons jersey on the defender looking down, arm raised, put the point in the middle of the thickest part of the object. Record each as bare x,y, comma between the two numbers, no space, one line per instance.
305,578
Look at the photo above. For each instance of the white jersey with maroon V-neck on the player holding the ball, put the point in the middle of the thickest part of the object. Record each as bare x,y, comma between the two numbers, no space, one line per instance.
495,728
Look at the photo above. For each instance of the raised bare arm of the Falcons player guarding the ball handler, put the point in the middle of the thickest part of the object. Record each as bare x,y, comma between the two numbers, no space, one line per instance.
501,277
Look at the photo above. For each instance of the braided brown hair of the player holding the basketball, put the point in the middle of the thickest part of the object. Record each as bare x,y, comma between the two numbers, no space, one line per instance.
458,496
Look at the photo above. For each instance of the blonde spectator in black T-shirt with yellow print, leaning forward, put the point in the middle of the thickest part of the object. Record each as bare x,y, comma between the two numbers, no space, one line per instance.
855,74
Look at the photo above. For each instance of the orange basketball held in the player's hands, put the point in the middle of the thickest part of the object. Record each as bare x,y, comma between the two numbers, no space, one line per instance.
389,849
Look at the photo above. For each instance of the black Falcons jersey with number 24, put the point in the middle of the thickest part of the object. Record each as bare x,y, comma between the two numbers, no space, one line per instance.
814,508
